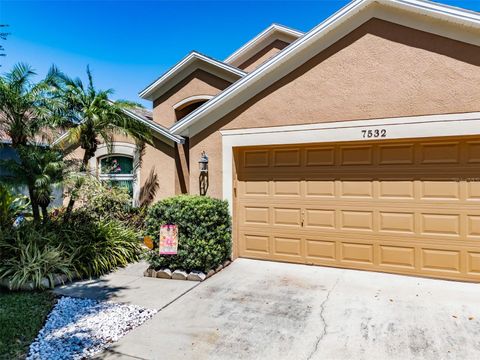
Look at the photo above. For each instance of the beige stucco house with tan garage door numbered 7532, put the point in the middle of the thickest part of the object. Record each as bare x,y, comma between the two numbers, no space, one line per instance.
355,144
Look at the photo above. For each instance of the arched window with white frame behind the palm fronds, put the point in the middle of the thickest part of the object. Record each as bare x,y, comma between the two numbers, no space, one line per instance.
117,170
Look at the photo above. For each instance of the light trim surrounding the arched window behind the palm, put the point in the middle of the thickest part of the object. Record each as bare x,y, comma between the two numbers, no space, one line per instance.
121,149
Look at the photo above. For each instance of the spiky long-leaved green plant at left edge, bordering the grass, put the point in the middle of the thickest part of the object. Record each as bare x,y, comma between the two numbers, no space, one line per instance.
28,255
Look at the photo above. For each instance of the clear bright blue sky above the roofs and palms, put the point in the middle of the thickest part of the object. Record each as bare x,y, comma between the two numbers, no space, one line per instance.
128,44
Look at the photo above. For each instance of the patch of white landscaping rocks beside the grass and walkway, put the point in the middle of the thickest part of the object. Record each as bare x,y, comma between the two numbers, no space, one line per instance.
80,328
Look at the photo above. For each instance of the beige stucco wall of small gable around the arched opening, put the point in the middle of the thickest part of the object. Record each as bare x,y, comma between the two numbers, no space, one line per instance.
197,83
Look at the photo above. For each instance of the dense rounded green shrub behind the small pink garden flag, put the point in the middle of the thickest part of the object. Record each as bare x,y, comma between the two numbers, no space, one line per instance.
204,226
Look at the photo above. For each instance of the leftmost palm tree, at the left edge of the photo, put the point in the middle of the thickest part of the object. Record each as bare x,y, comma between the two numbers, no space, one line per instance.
28,111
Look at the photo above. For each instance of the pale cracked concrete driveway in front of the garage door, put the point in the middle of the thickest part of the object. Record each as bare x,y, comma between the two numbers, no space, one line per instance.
265,310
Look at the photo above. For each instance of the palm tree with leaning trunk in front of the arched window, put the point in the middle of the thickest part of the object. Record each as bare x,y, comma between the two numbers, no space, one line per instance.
94,118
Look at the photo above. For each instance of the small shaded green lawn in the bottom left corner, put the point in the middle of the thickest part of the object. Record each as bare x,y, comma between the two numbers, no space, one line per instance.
22,315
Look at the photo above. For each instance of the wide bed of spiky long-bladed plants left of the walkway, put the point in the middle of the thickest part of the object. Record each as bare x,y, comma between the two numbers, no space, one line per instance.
85,247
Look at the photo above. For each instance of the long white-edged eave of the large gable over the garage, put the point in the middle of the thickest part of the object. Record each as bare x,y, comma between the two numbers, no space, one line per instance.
455,23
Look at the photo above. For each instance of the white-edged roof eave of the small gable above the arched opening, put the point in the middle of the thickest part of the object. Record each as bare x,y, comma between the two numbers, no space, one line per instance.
185,67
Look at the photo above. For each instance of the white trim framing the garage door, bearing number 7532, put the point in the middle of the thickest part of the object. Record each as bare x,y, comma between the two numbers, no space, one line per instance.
397,128
